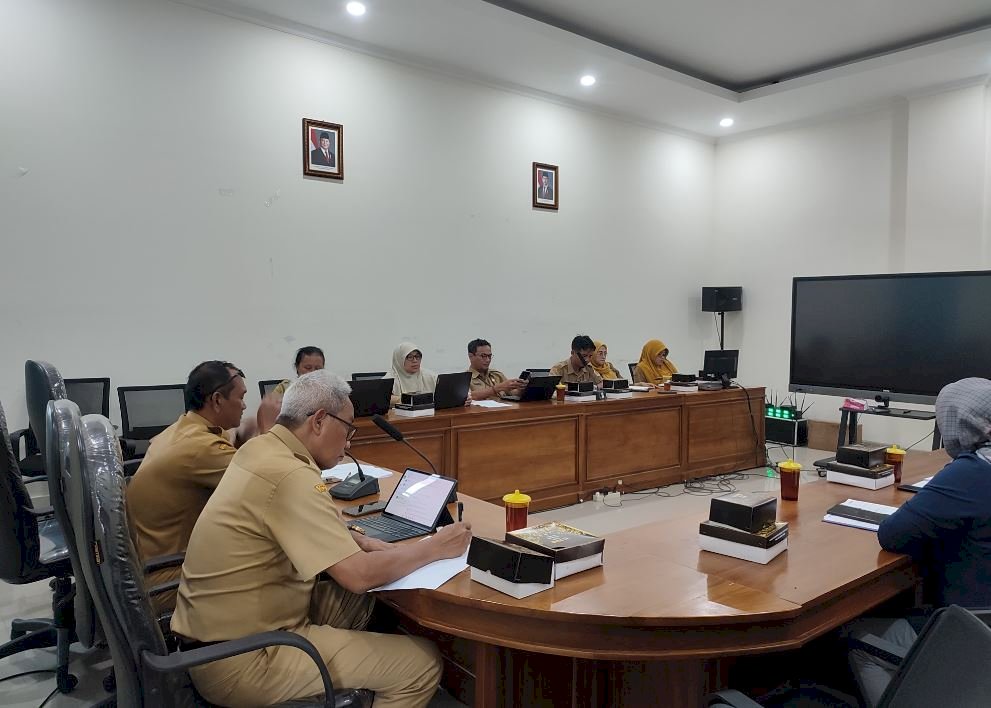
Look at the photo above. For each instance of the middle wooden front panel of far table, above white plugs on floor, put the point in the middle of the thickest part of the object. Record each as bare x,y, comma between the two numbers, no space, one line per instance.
624,443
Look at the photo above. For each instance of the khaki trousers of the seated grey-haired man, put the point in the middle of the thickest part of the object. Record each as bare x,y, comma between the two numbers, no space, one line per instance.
403,671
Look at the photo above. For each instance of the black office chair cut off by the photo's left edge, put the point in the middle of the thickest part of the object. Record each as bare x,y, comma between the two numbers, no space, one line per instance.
31,549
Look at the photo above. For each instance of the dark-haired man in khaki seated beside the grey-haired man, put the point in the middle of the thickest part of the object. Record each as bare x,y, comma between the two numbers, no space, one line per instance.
183,466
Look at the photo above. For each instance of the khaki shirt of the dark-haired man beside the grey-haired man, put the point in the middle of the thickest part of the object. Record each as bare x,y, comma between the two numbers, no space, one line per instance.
184,464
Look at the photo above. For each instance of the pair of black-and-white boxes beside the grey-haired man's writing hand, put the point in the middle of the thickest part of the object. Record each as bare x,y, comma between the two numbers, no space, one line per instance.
531,559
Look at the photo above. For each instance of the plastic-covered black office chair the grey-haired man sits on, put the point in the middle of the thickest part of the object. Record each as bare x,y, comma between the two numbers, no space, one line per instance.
148,674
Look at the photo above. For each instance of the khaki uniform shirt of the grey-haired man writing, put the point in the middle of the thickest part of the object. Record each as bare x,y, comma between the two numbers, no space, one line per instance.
267,531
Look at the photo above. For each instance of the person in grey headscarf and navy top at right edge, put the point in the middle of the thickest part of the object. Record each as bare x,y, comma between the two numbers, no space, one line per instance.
946,527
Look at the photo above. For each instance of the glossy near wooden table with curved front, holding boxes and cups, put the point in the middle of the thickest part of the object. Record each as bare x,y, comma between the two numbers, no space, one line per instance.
655,623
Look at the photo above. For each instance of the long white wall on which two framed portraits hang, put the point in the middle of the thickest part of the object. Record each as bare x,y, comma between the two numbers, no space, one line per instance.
163,218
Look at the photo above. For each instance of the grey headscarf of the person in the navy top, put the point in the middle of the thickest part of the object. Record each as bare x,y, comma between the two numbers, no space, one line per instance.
963,413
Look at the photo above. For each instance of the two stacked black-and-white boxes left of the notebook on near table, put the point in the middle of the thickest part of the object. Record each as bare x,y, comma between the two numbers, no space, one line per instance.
743,526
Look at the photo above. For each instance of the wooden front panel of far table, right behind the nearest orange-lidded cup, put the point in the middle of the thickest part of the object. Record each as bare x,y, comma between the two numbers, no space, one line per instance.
532,456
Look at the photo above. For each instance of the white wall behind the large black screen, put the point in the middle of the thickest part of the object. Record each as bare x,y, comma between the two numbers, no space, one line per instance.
900,190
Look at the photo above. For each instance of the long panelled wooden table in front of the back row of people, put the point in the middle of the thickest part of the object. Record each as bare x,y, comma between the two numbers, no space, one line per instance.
562,452
